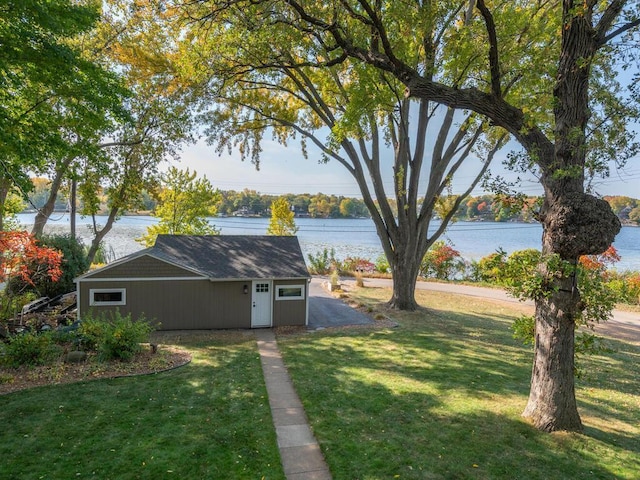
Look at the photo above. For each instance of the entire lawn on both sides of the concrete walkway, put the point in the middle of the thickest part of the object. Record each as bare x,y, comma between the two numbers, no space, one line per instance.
439,396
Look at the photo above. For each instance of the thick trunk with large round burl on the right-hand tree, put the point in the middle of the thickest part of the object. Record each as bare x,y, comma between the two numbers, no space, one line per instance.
574,224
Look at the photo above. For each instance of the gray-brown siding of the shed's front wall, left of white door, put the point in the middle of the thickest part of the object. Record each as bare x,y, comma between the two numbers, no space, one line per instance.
186,304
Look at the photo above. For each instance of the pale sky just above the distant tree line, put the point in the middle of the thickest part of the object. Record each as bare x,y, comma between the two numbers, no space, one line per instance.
285,170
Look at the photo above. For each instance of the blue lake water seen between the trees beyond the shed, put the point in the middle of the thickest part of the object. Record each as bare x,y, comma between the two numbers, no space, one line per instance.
351,237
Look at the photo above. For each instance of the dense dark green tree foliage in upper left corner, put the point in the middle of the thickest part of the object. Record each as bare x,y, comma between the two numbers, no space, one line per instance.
52,95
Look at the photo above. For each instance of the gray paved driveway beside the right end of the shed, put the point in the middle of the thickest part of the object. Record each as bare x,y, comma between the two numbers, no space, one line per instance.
327,311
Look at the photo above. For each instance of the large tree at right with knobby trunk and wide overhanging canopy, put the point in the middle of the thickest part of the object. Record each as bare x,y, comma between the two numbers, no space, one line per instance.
542,71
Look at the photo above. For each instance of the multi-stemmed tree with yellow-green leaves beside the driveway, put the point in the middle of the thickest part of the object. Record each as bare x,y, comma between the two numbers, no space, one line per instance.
265,76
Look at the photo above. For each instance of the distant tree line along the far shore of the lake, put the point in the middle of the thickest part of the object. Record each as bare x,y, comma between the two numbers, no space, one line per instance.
490,208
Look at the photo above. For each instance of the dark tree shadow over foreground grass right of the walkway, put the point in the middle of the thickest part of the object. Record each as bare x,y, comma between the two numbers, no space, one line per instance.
370,430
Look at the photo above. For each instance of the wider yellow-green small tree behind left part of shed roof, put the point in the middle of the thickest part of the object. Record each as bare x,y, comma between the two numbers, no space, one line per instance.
183,206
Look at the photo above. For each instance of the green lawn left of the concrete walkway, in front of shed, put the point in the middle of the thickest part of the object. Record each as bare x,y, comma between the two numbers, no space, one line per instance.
209,419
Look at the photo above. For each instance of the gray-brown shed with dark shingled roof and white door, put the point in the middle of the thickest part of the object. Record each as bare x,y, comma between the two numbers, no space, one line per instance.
192,282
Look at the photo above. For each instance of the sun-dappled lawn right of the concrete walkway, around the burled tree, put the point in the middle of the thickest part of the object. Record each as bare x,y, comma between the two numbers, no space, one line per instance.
440,396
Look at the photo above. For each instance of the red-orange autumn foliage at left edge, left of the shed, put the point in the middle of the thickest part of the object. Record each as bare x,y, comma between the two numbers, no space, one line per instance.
23,258
